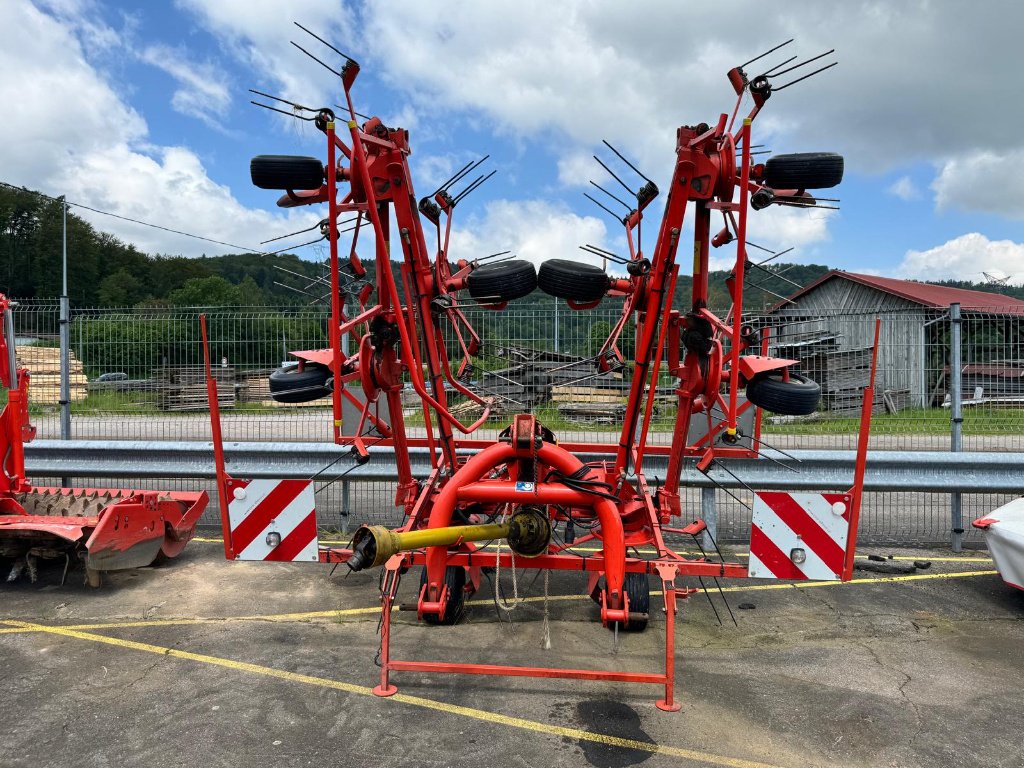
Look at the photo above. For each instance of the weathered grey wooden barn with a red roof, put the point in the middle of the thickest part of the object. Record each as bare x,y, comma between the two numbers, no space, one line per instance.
830,325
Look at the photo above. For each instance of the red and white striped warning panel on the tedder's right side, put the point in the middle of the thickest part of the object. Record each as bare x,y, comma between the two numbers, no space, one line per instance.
799,536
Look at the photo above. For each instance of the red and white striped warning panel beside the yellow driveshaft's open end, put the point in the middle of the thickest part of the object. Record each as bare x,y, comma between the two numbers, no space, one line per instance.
273,521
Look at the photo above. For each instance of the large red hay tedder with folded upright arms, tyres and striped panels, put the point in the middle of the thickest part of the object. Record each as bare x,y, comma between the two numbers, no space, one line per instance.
526,489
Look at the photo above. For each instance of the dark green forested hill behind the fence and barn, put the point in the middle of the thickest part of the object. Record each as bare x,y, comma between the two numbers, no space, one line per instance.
106,272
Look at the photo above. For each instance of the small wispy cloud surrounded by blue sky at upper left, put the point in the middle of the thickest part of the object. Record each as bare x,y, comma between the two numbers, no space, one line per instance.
203,91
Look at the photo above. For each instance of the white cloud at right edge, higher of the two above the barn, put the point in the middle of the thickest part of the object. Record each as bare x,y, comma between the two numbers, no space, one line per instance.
989,182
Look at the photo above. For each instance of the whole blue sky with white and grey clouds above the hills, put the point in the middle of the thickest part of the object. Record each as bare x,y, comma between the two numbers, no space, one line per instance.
142,109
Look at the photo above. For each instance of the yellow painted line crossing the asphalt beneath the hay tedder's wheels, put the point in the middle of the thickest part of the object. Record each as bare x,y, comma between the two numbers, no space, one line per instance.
342,613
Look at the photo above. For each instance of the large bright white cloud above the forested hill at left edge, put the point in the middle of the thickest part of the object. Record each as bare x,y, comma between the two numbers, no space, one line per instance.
72,134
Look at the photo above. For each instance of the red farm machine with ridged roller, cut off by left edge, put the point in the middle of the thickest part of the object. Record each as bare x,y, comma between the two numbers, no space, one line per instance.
107,529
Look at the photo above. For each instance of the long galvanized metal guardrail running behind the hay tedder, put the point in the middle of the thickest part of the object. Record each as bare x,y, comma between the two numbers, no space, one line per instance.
988,473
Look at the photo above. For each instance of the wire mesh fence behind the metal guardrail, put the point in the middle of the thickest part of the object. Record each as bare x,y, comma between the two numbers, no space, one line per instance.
137,374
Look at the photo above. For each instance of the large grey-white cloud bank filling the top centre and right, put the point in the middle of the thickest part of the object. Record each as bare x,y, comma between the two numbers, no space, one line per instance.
606,71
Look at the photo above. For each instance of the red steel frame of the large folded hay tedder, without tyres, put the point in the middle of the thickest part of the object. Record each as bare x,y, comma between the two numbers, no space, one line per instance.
404,339
